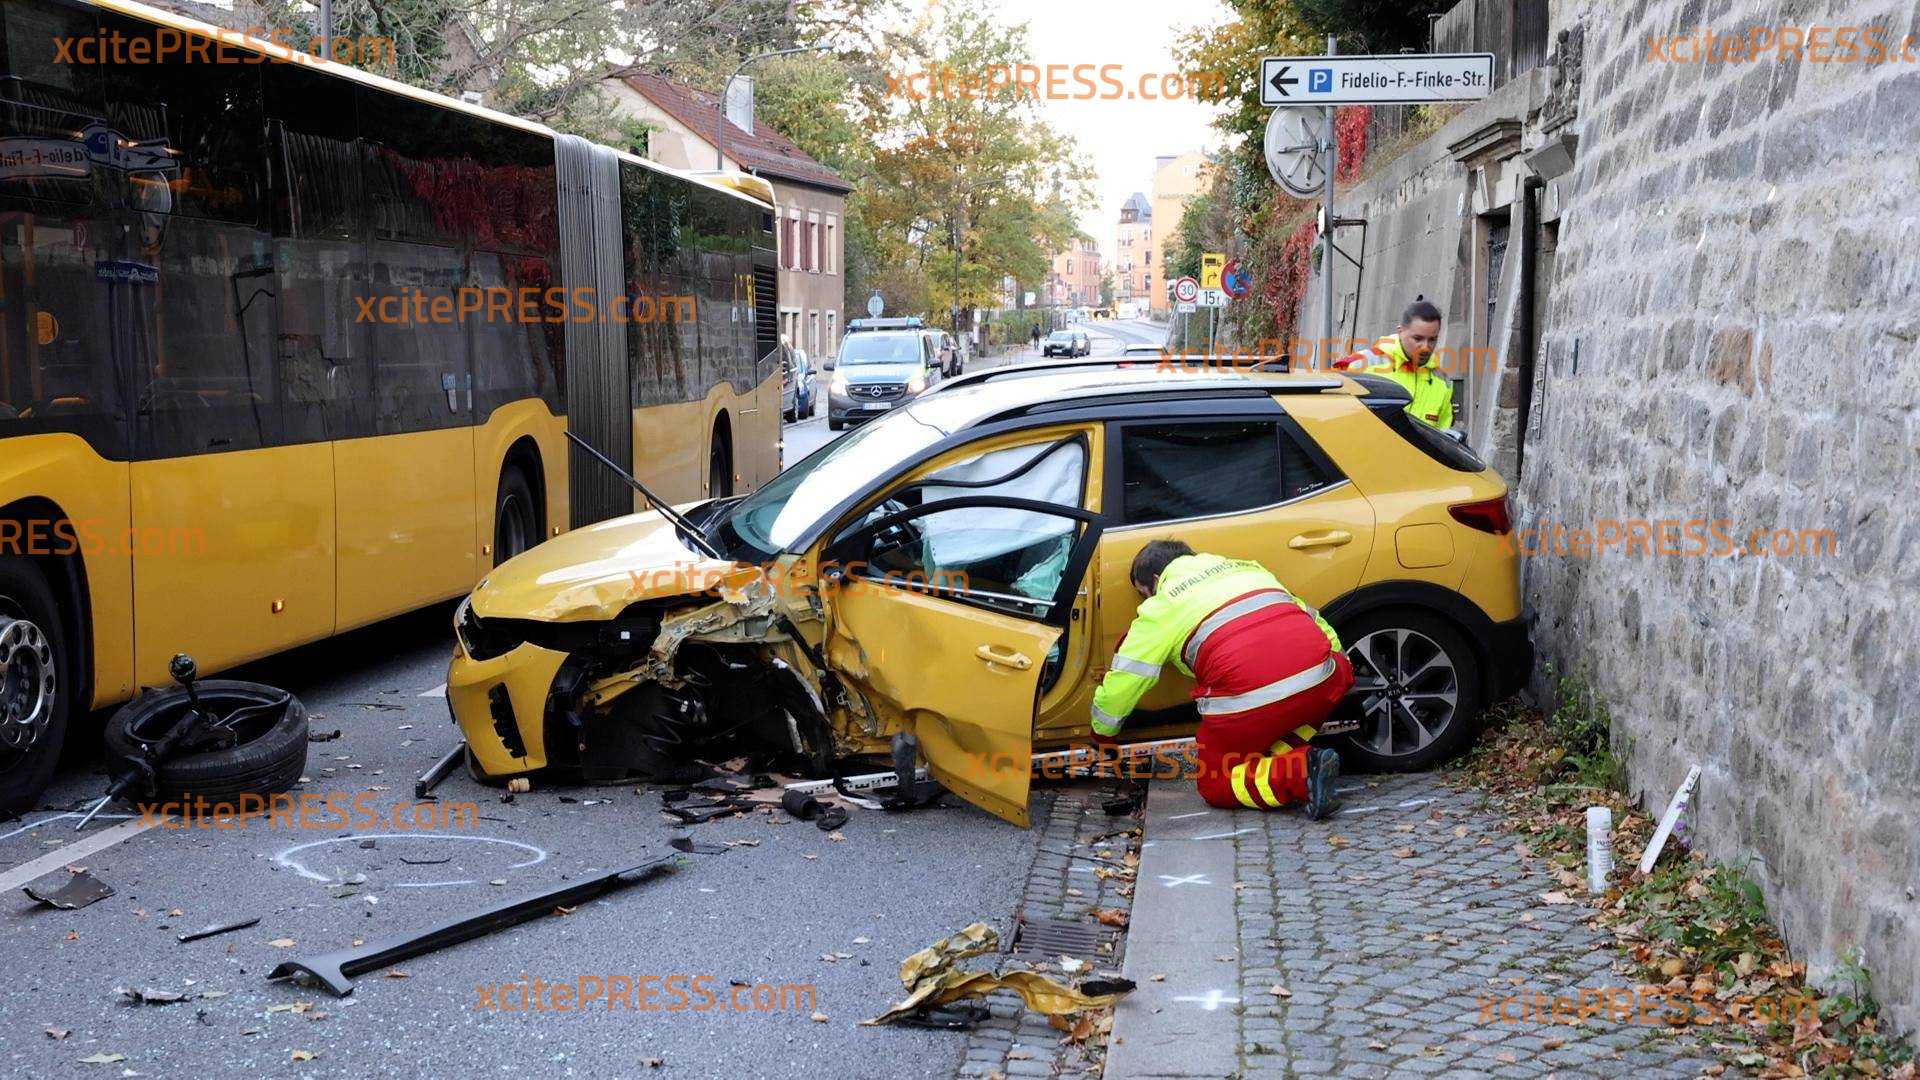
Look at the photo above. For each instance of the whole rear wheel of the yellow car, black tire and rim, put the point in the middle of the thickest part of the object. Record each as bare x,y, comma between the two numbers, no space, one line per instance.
1397,712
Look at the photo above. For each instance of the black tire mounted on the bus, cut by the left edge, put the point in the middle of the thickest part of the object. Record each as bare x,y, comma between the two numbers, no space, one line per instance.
34,637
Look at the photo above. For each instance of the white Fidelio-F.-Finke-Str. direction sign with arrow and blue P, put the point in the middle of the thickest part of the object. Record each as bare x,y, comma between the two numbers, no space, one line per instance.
1376,80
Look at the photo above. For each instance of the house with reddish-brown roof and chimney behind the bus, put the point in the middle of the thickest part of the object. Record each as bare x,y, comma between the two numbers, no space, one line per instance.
811,199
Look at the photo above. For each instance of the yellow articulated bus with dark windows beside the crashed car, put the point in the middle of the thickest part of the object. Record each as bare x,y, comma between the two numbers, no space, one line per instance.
287,349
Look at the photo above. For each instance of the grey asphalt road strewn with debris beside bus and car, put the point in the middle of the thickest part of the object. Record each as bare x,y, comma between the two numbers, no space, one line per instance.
788,908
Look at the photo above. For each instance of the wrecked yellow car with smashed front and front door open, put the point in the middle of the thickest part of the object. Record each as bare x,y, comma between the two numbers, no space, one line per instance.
951,583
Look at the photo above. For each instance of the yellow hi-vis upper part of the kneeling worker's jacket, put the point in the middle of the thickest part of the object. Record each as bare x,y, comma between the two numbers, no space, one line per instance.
1191,589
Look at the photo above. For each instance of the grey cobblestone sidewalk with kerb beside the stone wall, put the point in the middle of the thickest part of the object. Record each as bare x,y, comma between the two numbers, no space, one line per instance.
1393,933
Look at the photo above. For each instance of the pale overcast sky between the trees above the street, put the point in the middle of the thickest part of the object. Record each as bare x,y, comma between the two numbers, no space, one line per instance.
1118,137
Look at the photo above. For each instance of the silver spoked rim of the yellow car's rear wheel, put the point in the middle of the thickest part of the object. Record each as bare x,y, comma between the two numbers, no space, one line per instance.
1408,691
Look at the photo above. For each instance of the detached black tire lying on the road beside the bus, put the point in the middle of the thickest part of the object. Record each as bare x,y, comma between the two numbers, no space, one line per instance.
270,758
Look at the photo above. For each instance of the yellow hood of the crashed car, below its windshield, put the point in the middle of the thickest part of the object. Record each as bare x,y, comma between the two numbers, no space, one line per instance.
596,572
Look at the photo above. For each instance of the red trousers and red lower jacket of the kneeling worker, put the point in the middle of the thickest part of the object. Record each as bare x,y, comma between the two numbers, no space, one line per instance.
1259,758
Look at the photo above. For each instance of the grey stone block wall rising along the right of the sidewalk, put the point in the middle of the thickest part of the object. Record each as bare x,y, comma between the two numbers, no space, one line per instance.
1740,274
